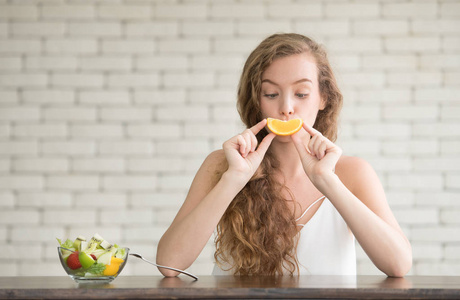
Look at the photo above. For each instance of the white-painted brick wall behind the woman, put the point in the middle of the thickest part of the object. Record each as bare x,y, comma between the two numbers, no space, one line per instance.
108,109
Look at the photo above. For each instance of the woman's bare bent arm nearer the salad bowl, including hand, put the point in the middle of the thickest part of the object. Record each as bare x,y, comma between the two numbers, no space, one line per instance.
207,199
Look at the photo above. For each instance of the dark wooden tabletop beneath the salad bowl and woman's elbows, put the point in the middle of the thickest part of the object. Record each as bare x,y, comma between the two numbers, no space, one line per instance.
255,287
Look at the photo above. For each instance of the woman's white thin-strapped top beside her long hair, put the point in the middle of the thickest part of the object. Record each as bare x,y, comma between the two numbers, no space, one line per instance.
326,244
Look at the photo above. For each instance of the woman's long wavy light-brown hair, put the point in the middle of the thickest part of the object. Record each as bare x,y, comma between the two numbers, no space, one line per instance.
257,233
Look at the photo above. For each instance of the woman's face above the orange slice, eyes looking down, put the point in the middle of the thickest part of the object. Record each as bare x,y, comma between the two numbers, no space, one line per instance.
290,89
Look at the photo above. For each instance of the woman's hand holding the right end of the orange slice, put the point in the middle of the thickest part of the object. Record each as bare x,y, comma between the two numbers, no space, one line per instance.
319,156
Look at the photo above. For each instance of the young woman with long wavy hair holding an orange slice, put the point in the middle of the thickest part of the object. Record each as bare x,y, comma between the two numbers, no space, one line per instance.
286,204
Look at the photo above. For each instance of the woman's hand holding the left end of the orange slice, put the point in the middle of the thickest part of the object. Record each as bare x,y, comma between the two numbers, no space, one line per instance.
243,155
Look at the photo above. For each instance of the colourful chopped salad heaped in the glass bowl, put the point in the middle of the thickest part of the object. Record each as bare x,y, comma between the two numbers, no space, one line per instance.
93,258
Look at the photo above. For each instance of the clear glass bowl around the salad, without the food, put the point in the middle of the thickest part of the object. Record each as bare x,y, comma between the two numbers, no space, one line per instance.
81,275
